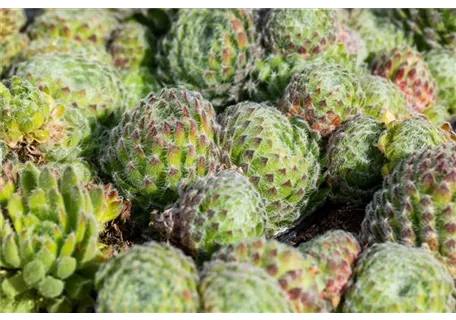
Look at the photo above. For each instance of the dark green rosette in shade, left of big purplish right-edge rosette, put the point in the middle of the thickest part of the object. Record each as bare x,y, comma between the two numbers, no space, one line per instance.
353,161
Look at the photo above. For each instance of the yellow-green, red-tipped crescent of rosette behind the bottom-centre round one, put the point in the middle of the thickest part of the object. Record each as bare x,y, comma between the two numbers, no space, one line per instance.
298,274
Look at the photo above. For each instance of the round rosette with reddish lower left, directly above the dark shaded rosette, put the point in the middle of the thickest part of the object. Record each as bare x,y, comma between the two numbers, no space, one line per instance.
324,94
